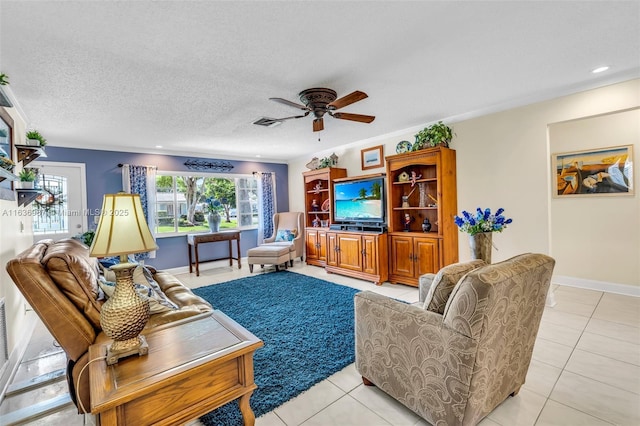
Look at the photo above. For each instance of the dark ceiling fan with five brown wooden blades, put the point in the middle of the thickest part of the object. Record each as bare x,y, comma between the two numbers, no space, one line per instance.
321,101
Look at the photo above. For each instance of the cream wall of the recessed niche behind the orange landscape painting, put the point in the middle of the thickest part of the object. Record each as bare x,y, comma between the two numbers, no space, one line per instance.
595,237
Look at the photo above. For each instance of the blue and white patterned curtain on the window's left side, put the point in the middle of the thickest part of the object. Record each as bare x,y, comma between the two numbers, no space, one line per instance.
141,180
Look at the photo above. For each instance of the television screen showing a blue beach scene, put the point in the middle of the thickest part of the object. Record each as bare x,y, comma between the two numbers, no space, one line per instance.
359,200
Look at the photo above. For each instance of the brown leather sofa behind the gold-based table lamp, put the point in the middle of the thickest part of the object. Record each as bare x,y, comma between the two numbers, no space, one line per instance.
60,282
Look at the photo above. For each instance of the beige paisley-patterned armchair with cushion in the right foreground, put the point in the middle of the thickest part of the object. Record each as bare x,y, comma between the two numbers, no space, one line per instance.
464,351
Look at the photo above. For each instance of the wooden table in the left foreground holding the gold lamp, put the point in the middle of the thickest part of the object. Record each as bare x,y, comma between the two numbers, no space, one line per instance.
193,367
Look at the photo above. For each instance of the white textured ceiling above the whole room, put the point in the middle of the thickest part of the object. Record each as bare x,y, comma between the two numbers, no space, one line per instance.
193,75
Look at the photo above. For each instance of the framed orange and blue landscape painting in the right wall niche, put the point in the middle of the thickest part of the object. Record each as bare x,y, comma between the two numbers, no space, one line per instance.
601,171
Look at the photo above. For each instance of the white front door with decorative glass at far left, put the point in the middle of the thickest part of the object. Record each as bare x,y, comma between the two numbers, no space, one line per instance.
60,211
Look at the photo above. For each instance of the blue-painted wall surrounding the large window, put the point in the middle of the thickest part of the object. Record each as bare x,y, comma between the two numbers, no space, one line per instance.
105,177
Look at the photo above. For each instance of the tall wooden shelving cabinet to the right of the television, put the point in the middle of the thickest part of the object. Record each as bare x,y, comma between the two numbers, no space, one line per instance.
413,252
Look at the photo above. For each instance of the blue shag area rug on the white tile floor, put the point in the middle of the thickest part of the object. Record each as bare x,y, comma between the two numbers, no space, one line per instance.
306,324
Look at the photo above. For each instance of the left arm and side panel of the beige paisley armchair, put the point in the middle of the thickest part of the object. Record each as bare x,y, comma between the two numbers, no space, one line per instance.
409,353
